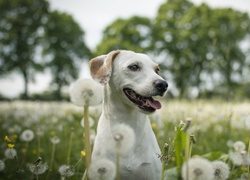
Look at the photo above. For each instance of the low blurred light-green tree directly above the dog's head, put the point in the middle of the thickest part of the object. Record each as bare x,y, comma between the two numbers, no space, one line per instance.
133,33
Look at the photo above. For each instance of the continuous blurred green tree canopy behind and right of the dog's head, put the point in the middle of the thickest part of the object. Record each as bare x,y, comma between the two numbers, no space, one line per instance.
198,47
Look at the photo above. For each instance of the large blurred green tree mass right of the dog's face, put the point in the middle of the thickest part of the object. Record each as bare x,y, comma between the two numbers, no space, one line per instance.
203,43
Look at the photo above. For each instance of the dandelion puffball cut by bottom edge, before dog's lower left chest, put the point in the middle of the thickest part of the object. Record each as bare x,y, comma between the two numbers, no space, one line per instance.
102,169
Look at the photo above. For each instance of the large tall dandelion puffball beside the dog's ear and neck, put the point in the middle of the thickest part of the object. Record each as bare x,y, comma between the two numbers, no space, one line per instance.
86,92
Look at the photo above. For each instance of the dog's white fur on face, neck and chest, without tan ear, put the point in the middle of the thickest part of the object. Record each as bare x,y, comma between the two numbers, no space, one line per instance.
142,161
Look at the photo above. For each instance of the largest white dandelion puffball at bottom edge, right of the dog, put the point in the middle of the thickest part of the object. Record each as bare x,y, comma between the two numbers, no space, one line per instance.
198,169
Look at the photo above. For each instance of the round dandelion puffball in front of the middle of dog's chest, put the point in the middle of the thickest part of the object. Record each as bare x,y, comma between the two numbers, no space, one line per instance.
123,138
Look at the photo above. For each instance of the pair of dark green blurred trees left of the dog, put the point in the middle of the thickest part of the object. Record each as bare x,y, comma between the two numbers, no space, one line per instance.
33,38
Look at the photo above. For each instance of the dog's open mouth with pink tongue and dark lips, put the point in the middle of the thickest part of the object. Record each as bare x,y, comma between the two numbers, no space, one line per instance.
145,103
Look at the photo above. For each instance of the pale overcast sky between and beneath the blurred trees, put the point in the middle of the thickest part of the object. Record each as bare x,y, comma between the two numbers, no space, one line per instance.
93,16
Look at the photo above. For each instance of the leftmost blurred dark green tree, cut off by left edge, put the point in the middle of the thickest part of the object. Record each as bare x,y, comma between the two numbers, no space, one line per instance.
21,29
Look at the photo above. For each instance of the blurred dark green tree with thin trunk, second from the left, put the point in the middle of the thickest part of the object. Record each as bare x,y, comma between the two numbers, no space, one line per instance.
64,49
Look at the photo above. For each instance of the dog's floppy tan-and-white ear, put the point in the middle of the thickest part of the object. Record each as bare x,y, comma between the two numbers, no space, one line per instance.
101,67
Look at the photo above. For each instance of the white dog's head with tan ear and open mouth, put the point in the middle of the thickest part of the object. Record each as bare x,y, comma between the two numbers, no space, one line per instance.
132,75
